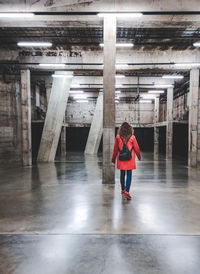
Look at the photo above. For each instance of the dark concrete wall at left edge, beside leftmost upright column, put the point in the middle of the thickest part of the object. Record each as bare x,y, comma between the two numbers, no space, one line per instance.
10,122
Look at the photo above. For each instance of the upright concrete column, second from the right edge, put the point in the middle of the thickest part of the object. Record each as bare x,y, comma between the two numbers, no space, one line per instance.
169,129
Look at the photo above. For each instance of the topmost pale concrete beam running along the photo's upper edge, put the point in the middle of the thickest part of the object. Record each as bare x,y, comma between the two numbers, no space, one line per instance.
99,6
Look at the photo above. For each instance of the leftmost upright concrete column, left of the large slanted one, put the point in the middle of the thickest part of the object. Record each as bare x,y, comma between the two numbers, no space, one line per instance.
26,117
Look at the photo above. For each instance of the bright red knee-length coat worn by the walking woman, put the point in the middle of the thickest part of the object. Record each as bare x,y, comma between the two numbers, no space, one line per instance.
132,143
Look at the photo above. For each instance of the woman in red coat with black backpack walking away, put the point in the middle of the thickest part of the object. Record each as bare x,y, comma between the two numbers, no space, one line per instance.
124,149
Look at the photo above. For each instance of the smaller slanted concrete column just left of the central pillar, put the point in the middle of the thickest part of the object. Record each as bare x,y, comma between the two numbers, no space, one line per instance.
96,129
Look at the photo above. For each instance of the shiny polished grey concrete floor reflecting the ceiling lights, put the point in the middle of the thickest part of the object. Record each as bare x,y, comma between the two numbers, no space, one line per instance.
59,218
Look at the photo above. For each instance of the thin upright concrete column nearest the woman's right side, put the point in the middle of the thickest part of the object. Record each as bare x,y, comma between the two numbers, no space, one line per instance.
156,129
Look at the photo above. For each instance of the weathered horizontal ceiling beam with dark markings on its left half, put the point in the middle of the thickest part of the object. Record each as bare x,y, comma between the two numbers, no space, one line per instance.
122,56
